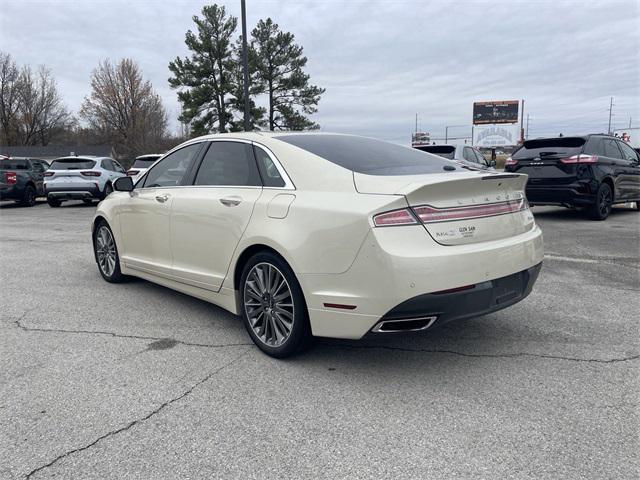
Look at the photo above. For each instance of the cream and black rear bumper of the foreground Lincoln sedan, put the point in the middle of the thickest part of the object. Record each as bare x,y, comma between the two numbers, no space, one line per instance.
399,270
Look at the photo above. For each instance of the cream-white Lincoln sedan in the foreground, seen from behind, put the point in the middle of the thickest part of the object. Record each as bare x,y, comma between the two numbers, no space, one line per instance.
311,234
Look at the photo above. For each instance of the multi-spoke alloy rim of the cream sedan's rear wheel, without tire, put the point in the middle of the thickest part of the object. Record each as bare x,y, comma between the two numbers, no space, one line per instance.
268,303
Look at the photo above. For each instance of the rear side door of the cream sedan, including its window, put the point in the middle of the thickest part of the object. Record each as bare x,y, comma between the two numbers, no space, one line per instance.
209,218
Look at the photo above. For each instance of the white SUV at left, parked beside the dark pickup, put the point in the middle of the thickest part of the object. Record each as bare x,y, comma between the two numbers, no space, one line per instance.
80,178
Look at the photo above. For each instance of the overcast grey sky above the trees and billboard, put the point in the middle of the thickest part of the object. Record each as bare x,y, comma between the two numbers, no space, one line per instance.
381,62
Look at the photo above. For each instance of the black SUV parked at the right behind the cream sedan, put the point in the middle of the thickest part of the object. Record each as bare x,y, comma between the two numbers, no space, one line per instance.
593,172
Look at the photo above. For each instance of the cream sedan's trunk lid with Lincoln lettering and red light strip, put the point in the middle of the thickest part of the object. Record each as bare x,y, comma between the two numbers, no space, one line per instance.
459,208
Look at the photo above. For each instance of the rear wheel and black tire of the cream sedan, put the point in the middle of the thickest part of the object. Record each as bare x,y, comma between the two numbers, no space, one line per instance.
273,308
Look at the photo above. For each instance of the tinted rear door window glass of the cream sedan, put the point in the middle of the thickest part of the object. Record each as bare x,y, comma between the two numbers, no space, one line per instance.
228,163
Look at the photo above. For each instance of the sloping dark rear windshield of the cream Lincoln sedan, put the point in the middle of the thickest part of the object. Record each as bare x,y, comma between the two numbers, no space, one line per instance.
366,155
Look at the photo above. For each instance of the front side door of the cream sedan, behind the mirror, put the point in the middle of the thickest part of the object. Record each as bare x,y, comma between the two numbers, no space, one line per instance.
144,215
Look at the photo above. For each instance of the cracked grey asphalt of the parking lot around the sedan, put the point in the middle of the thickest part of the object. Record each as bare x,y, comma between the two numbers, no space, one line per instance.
137,381
